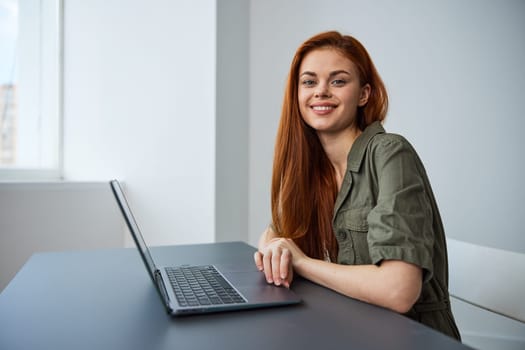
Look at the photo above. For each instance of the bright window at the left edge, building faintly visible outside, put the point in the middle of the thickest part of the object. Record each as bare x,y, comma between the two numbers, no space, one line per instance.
30,89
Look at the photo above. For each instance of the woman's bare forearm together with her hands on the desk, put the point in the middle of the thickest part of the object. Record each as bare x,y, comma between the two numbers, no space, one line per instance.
394,284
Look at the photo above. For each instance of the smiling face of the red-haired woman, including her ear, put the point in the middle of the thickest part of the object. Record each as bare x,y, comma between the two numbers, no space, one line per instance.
330,92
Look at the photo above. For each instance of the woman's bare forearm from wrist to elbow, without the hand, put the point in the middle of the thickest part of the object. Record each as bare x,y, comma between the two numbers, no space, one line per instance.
395,284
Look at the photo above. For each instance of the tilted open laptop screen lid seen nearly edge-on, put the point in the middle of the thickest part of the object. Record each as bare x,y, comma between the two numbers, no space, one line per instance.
133,227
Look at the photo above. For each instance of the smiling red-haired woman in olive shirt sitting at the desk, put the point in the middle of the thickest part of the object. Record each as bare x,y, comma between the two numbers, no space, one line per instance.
352,207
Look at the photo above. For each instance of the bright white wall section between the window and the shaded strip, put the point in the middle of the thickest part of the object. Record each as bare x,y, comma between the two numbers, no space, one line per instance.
139,105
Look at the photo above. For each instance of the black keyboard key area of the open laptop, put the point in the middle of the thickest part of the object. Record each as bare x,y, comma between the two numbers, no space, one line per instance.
201,285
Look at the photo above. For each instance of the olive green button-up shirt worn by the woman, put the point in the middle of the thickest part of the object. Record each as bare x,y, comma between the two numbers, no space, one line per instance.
386,210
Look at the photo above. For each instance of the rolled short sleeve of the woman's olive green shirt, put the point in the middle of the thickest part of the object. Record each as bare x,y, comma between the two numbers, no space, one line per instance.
400,225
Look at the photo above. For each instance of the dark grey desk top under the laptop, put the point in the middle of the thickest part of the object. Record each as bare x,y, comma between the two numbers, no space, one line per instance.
104,300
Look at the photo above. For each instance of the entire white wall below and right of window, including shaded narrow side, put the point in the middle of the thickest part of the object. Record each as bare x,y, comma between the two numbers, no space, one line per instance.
141,83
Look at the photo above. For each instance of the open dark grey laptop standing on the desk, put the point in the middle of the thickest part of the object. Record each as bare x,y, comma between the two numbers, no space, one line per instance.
197,289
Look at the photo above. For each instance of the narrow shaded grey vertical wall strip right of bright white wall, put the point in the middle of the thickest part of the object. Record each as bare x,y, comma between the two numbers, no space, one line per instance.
232,120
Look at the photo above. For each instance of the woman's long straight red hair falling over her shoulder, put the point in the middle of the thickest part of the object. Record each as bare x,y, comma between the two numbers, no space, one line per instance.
304,186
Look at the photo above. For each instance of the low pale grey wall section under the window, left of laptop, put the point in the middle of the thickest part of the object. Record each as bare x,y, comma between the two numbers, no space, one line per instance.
40,217
